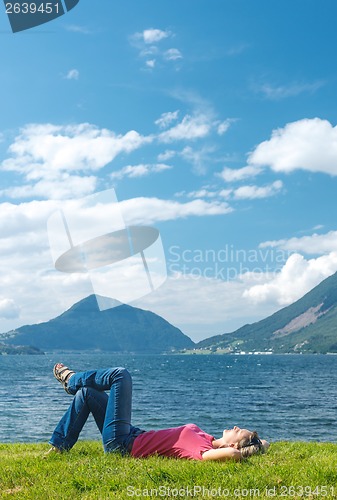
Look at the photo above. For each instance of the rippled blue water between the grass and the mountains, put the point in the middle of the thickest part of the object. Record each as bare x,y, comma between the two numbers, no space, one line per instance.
284,397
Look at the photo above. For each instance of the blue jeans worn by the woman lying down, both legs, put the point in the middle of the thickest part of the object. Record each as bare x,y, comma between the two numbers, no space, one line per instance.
112,413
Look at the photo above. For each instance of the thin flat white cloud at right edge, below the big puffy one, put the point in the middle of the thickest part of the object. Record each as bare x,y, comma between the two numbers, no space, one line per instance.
313,244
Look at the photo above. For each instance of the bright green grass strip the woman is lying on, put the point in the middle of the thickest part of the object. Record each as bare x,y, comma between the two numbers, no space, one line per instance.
288,470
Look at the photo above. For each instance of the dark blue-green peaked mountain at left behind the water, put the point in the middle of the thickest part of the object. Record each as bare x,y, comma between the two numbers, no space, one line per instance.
84,326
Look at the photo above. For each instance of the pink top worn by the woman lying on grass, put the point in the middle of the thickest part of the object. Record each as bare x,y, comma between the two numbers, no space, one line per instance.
187,441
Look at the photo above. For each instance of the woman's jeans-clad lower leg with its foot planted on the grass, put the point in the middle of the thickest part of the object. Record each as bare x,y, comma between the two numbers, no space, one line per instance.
69,427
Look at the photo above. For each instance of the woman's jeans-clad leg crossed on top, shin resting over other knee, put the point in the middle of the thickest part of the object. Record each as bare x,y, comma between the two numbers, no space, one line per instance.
118,434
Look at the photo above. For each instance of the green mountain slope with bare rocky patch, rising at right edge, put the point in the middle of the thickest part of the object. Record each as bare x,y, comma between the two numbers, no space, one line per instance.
309,325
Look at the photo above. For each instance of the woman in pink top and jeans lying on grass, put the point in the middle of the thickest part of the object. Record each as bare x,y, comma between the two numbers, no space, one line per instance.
112,415
